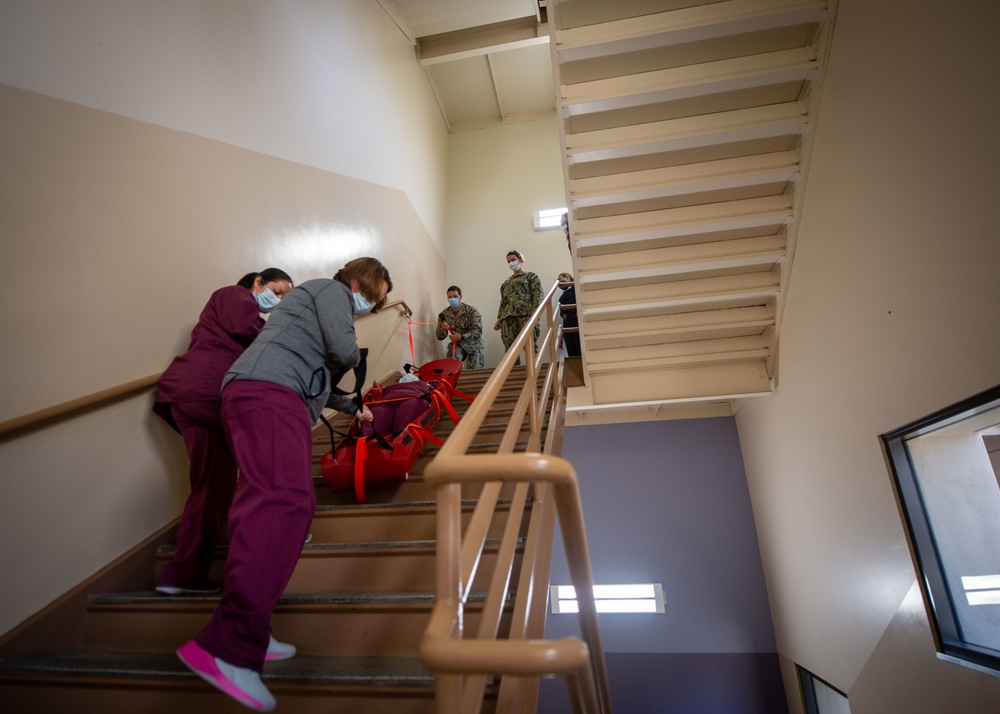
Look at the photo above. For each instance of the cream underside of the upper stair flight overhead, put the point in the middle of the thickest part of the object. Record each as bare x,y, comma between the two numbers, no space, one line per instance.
686,129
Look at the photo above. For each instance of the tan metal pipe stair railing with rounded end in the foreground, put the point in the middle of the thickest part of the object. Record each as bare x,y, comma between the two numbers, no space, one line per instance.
464,662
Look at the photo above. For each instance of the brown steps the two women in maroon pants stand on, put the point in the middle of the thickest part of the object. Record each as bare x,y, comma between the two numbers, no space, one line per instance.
356,607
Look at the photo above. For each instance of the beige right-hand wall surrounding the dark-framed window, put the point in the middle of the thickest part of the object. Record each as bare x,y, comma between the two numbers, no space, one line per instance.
891,314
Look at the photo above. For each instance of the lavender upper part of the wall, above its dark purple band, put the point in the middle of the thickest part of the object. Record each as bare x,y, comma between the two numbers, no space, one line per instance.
667,501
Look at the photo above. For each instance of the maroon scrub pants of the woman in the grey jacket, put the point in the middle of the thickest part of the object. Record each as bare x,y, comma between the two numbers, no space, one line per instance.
271,436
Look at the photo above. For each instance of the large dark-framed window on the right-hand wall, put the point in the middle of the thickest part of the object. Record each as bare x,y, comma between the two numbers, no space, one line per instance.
946,472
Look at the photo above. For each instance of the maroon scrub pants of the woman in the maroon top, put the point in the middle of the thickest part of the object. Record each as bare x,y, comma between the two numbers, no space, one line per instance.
213,482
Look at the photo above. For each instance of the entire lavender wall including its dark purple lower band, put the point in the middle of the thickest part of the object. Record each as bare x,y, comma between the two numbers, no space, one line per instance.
667,502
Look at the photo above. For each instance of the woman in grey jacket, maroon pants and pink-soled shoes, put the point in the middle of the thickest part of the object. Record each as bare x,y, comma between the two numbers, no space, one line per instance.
271,397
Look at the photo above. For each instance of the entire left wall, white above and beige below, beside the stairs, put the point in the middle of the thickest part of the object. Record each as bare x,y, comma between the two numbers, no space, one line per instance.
118,229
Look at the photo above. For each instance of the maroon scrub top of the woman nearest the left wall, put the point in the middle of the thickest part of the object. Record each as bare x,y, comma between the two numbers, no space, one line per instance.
229,323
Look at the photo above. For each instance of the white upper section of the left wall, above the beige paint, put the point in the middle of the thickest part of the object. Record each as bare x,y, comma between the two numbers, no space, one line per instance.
334,84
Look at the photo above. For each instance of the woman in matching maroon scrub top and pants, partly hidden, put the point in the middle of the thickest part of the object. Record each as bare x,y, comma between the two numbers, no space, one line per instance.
187,398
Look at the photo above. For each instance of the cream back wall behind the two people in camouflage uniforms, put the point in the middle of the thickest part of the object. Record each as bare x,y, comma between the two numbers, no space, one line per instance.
497,178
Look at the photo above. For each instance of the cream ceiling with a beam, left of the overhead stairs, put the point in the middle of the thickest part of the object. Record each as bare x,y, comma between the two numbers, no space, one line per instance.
488,61
